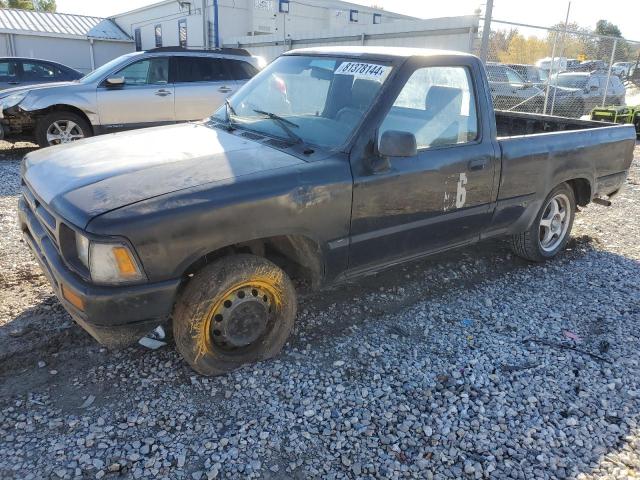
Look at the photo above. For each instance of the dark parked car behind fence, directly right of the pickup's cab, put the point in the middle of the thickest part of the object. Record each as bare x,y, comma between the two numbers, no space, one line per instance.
511,91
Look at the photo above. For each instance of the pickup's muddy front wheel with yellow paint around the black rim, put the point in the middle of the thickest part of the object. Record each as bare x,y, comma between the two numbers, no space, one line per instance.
237,310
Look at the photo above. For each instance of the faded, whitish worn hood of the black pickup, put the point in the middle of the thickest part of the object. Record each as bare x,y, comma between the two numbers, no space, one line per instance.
84,179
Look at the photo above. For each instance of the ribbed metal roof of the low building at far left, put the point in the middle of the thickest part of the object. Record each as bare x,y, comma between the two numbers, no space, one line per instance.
28,22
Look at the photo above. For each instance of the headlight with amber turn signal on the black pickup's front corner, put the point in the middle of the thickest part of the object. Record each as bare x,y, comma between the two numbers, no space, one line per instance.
108,262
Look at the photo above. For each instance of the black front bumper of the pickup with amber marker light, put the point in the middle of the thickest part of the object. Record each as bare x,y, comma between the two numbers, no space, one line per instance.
114,316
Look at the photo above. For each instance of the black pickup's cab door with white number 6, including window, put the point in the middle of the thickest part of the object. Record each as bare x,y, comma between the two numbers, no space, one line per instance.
440,197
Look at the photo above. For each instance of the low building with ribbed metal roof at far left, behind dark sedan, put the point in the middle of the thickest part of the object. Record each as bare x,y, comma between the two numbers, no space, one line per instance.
77,41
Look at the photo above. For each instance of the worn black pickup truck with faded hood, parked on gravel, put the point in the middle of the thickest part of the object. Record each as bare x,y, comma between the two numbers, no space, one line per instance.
330,164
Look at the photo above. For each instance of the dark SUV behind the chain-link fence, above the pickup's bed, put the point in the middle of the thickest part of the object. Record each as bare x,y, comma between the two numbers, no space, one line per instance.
577,93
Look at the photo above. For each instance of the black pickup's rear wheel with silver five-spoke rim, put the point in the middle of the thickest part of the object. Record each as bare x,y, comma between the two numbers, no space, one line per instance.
551,228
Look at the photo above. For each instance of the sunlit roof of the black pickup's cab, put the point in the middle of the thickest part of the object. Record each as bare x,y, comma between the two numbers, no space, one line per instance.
381,52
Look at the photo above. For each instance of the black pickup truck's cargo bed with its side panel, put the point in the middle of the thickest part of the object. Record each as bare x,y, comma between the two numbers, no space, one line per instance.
540,152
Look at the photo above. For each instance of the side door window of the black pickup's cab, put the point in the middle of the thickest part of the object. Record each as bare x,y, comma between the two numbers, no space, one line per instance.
438,106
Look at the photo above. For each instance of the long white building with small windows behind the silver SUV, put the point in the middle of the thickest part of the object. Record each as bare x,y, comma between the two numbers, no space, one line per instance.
181,22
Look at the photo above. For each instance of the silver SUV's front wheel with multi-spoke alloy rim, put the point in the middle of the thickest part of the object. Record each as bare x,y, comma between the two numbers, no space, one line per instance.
65,125
